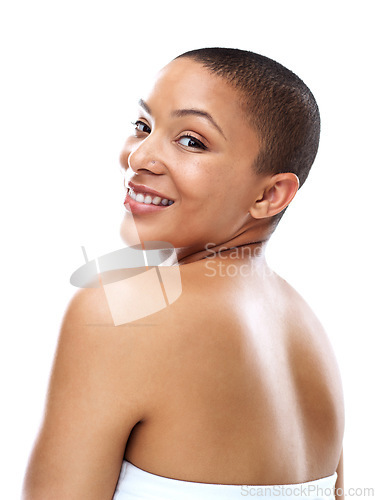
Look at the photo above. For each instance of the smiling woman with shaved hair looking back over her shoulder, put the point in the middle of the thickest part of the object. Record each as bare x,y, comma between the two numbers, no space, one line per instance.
234,384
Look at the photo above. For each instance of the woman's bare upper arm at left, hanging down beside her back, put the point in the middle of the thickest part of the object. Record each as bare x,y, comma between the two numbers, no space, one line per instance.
97,393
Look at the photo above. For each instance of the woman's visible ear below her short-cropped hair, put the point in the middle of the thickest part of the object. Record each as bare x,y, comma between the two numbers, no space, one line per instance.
275,196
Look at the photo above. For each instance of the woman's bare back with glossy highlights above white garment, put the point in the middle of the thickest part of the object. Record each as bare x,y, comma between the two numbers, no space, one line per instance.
245,385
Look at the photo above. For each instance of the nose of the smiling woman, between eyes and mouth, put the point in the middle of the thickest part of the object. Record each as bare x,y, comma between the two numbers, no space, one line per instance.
143,158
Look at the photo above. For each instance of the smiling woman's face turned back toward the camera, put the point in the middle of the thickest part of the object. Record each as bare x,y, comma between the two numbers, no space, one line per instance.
192,144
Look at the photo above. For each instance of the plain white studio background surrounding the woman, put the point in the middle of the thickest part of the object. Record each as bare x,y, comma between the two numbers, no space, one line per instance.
70,73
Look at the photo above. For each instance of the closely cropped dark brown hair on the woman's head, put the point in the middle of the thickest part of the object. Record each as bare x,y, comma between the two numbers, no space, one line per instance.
278,104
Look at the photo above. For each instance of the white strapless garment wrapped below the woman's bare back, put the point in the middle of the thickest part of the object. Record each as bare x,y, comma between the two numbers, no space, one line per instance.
136,484
